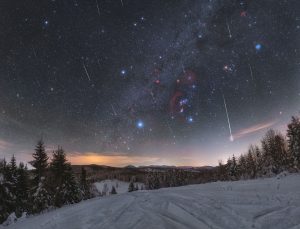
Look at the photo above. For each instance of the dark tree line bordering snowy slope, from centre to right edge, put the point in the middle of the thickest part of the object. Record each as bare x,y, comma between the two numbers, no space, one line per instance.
275,155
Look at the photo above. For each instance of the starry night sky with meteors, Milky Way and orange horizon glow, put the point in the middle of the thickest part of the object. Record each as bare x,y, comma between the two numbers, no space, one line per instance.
118,82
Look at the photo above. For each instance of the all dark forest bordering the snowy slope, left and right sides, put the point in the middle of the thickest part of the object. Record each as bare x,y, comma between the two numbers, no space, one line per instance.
52,182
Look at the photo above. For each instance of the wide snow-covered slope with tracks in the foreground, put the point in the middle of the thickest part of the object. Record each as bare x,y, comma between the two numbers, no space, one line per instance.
264,203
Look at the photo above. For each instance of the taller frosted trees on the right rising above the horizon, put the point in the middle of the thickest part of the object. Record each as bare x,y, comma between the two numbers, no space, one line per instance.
276,154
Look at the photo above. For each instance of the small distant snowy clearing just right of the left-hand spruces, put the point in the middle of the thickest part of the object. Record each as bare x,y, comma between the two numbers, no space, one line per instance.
105,186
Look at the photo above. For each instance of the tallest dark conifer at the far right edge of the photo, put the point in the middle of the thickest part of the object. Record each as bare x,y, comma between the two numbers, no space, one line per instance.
293,135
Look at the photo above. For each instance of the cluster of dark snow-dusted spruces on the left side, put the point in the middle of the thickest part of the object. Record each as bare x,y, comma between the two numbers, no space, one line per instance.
50,184
